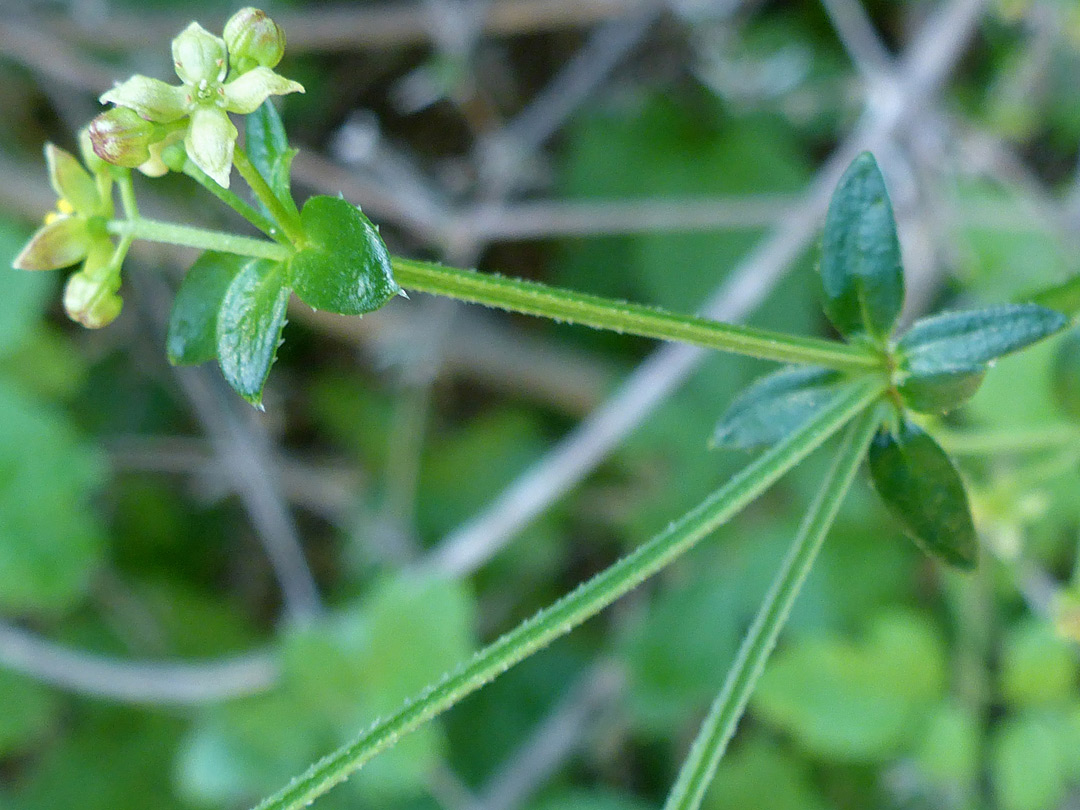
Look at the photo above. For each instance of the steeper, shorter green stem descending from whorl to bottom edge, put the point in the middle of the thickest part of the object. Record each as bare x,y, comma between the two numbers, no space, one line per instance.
720,726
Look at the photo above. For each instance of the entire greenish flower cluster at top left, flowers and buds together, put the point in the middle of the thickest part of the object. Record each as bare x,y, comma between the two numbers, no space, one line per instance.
219,75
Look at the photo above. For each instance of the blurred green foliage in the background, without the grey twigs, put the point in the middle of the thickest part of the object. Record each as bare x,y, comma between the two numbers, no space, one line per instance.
896,686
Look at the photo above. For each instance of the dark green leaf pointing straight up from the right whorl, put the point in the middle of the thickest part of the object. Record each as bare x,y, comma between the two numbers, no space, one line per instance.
860,262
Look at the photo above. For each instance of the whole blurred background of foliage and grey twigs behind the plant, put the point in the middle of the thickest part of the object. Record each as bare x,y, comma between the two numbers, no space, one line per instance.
198,600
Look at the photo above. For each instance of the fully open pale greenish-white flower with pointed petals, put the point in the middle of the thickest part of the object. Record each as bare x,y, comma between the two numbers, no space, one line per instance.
205,99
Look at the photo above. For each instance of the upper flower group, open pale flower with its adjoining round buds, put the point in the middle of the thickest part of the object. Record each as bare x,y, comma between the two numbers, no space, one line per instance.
219,76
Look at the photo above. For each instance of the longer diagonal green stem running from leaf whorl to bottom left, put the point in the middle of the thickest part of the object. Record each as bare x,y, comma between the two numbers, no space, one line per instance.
579,605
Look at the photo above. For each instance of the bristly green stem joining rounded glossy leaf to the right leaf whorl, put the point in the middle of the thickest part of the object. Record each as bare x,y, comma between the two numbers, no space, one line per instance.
564,305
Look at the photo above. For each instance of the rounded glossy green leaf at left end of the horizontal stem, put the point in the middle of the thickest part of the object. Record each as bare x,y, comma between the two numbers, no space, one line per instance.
345,267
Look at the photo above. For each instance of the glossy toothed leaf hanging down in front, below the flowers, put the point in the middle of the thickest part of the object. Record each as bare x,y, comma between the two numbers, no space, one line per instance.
250,325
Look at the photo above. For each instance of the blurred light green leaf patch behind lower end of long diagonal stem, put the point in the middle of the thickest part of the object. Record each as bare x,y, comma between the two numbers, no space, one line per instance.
339,676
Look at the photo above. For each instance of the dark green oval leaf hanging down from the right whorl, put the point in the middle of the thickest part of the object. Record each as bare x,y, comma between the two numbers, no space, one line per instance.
923,491
